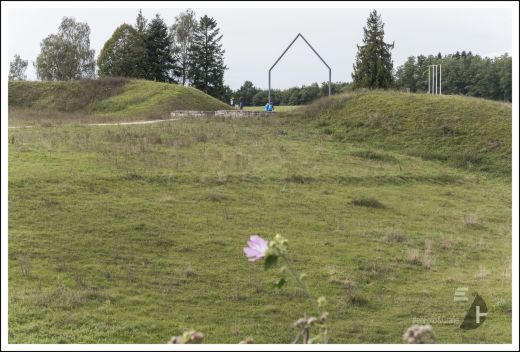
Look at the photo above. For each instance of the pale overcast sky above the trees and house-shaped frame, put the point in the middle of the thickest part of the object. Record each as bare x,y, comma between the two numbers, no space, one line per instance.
254,38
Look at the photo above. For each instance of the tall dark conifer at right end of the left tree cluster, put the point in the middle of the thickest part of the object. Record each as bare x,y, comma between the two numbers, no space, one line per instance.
207,66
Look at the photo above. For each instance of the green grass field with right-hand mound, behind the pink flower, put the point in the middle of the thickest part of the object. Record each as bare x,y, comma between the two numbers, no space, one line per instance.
132,234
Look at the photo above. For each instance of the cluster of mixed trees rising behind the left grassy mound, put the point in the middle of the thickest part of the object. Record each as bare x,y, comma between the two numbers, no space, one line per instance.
189,52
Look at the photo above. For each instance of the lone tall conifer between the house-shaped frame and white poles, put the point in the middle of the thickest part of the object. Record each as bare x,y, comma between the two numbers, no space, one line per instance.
373,67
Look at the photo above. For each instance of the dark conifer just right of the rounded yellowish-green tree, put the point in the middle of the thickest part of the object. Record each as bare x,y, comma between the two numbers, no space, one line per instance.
161,64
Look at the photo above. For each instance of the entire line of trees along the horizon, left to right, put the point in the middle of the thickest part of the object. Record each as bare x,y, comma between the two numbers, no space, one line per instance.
190,52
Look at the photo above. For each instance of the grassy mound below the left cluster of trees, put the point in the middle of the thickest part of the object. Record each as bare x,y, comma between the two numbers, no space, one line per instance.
109,97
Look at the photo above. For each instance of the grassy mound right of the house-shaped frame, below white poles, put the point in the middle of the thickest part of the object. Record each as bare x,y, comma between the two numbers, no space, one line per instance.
465,132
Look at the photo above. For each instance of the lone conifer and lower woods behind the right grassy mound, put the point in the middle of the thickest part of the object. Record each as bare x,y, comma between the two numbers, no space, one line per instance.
462,73
